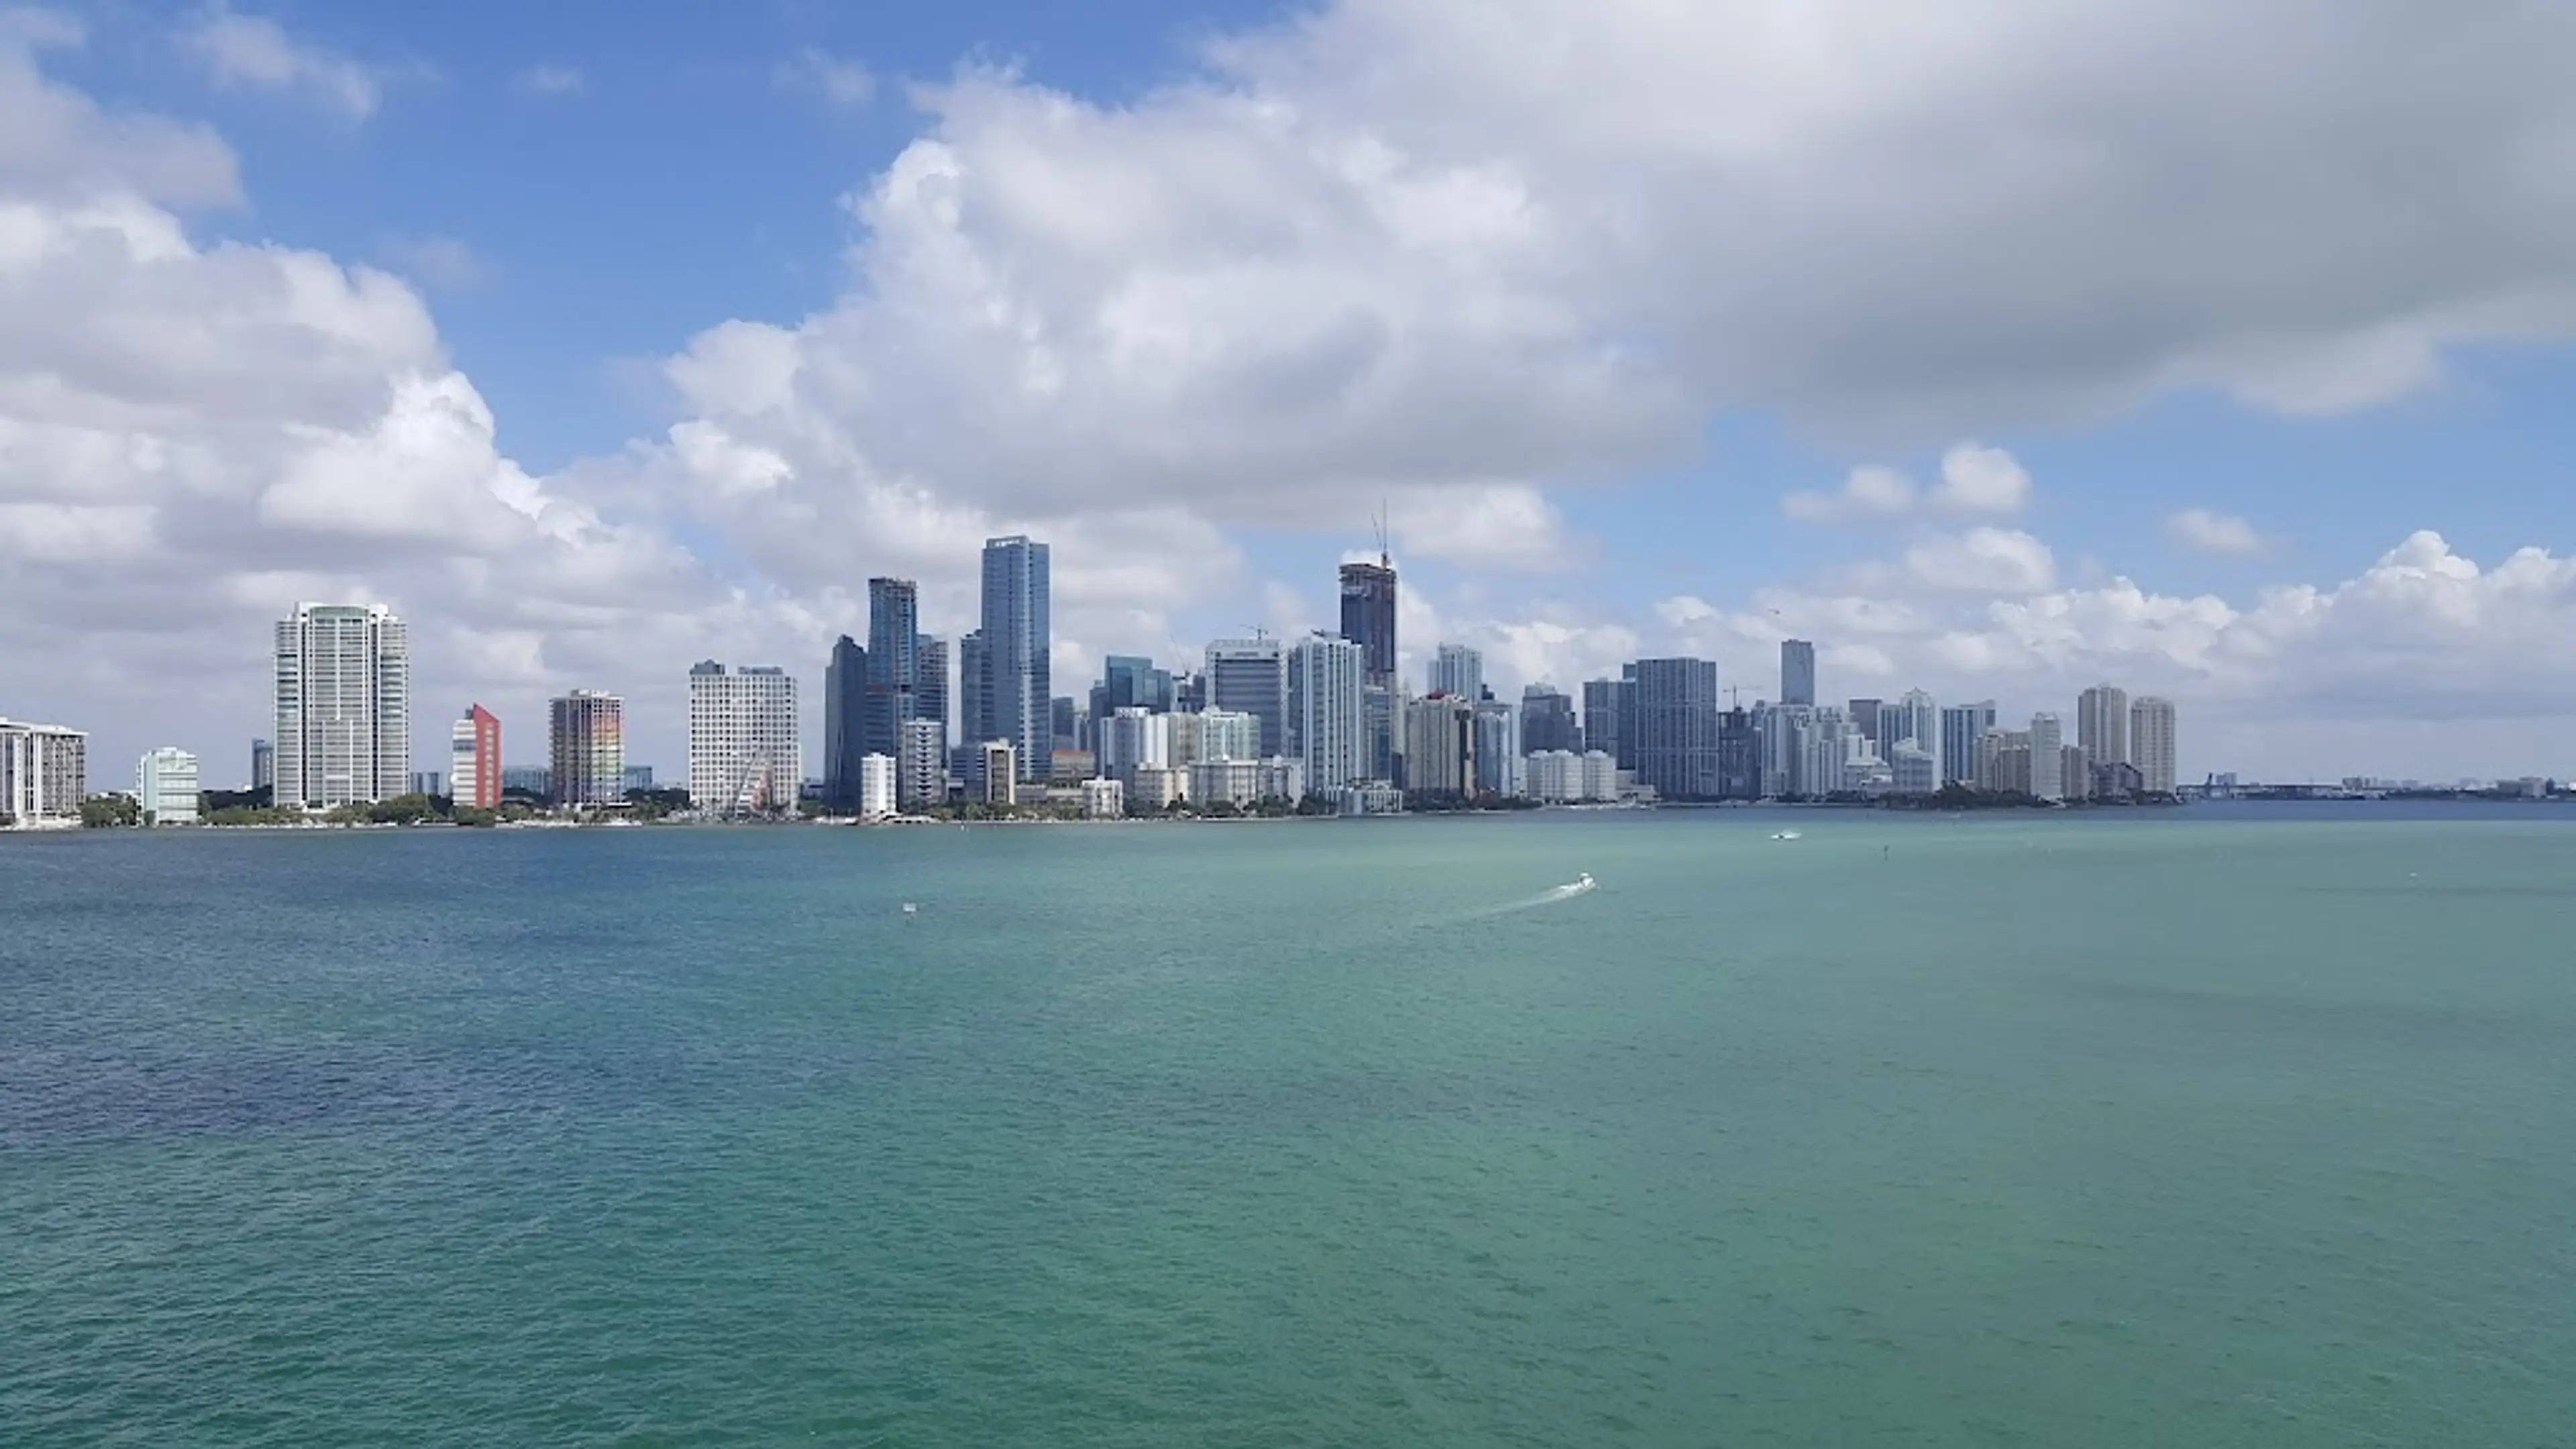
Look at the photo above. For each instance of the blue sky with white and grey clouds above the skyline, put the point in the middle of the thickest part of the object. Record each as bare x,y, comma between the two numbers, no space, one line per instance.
2219,349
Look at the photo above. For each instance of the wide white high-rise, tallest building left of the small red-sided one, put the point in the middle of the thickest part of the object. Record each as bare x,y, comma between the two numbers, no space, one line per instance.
344,697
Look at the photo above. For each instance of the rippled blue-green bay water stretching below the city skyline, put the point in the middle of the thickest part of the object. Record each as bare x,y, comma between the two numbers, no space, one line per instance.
2206,1128
